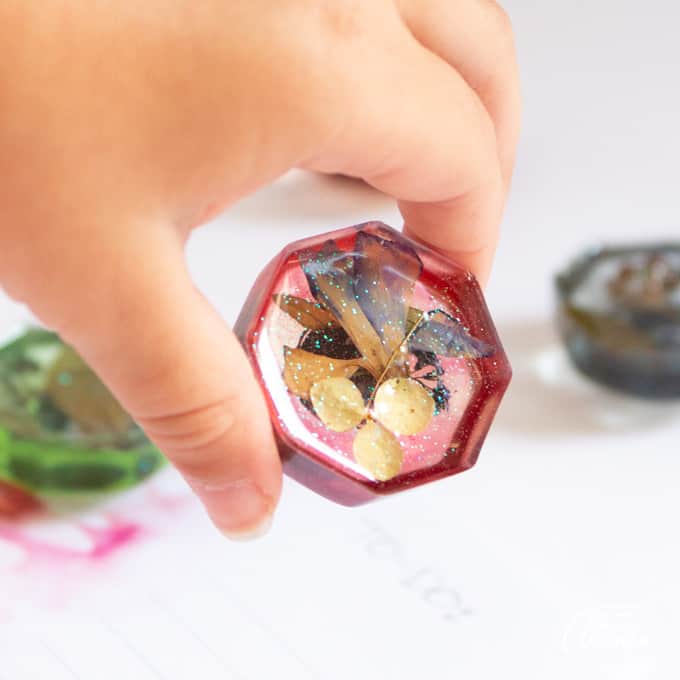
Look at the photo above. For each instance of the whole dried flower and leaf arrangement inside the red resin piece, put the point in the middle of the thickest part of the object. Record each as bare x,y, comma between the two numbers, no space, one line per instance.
367,359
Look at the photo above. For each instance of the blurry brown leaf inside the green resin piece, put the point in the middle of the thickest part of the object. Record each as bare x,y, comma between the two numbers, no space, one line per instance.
77,391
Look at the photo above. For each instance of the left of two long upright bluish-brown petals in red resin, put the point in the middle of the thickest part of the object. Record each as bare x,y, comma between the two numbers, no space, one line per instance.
329,273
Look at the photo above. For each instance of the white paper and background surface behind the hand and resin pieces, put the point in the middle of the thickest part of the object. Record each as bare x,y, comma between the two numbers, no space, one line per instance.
556,557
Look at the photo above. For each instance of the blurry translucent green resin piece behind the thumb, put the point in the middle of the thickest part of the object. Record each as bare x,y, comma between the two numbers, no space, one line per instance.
62,433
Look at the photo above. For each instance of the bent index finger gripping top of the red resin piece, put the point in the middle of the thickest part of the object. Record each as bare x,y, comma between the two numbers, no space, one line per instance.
420,133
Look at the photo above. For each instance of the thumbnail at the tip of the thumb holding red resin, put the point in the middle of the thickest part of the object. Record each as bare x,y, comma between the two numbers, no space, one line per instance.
245,512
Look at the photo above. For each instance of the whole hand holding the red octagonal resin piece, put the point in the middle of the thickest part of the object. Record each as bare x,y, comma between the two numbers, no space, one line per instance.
125,125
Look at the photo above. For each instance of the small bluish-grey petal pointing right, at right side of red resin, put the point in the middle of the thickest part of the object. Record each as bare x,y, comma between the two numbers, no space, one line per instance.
443,335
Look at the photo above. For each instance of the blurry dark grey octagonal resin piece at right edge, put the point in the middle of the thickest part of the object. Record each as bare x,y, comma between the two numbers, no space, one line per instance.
619,315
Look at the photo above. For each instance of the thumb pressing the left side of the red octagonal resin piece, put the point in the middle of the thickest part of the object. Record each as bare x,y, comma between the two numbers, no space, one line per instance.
182,374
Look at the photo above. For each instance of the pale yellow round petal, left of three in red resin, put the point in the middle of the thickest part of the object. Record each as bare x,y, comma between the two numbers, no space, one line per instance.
338,403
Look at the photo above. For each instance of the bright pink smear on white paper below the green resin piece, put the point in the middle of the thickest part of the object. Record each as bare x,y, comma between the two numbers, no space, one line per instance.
46,560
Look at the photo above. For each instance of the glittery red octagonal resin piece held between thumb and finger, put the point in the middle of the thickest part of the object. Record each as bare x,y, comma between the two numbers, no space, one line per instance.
379,360
